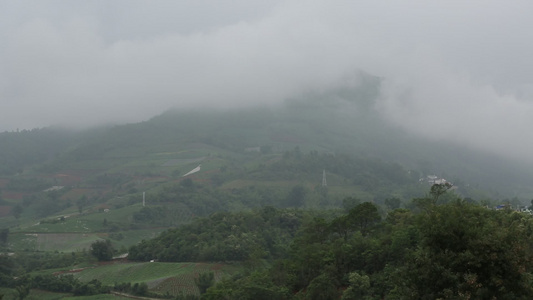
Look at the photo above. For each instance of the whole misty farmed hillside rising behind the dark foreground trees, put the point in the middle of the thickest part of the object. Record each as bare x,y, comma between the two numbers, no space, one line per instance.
149,187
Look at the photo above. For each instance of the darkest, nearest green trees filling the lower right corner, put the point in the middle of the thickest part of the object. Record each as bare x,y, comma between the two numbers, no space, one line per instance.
455,251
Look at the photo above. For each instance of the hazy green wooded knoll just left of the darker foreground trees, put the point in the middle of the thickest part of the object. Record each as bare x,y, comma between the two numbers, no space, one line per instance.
224,236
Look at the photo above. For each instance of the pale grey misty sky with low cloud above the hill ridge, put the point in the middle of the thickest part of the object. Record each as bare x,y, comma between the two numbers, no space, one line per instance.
453,70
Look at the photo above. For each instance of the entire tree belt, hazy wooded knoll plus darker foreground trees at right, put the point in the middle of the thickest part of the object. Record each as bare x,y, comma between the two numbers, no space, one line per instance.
452,250
